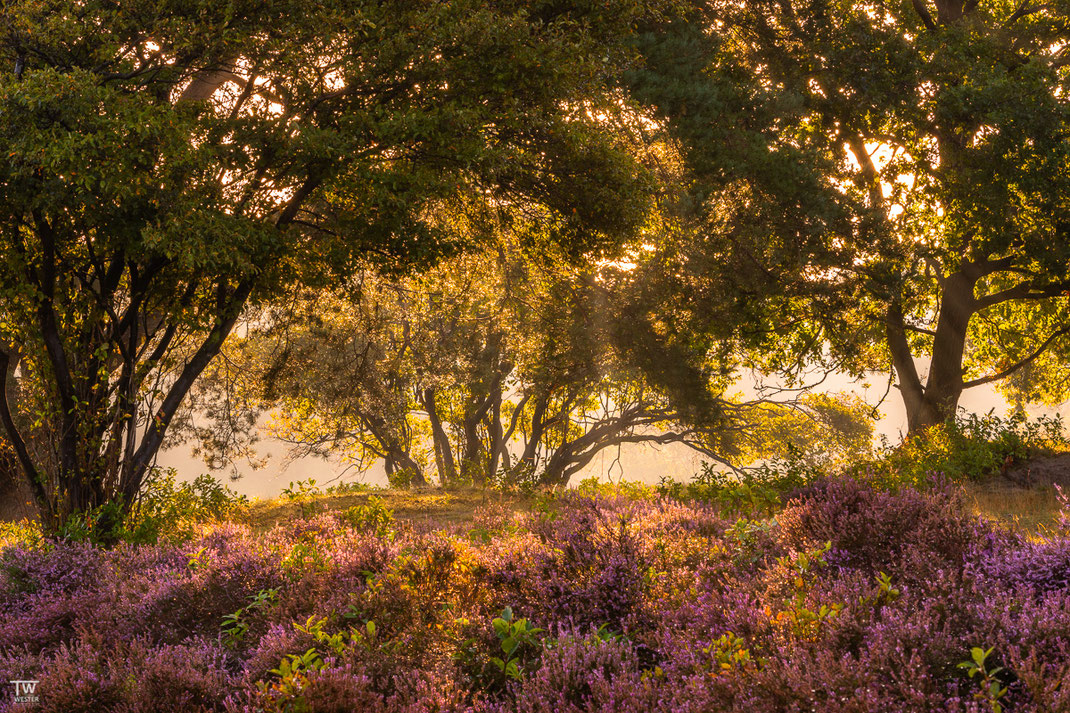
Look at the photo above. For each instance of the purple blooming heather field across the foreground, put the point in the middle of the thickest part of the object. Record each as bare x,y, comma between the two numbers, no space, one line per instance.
851,600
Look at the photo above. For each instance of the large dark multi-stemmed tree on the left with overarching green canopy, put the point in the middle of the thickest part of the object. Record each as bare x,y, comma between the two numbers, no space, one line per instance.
169,165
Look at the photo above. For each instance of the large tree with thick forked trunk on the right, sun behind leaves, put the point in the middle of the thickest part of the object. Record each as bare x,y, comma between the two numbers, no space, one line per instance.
882,184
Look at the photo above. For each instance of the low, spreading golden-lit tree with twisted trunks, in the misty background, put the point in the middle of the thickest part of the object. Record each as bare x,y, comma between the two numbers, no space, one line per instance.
493,367
